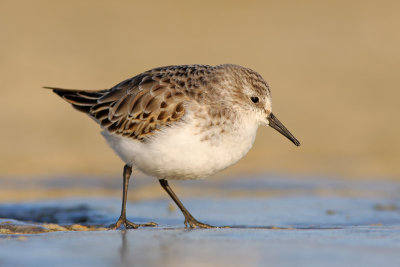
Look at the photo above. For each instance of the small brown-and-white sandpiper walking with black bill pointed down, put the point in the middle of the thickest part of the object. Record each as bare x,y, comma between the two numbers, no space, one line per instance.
179,122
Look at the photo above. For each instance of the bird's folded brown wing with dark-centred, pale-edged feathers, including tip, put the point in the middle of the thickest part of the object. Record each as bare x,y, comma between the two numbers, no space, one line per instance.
135,108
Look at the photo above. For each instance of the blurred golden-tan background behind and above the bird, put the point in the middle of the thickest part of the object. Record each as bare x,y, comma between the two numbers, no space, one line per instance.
333,68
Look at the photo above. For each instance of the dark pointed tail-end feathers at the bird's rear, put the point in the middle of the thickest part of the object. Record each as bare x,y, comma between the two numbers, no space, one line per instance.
81,100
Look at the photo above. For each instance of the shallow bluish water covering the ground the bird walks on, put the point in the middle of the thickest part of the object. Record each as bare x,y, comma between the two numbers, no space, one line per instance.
276,220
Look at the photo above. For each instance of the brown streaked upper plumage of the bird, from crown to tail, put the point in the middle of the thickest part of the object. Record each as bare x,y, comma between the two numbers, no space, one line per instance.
140,106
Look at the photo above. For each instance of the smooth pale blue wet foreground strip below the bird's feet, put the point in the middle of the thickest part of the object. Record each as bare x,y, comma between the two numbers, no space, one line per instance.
354,246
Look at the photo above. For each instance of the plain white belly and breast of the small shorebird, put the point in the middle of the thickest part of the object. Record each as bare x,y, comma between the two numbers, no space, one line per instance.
179,153
